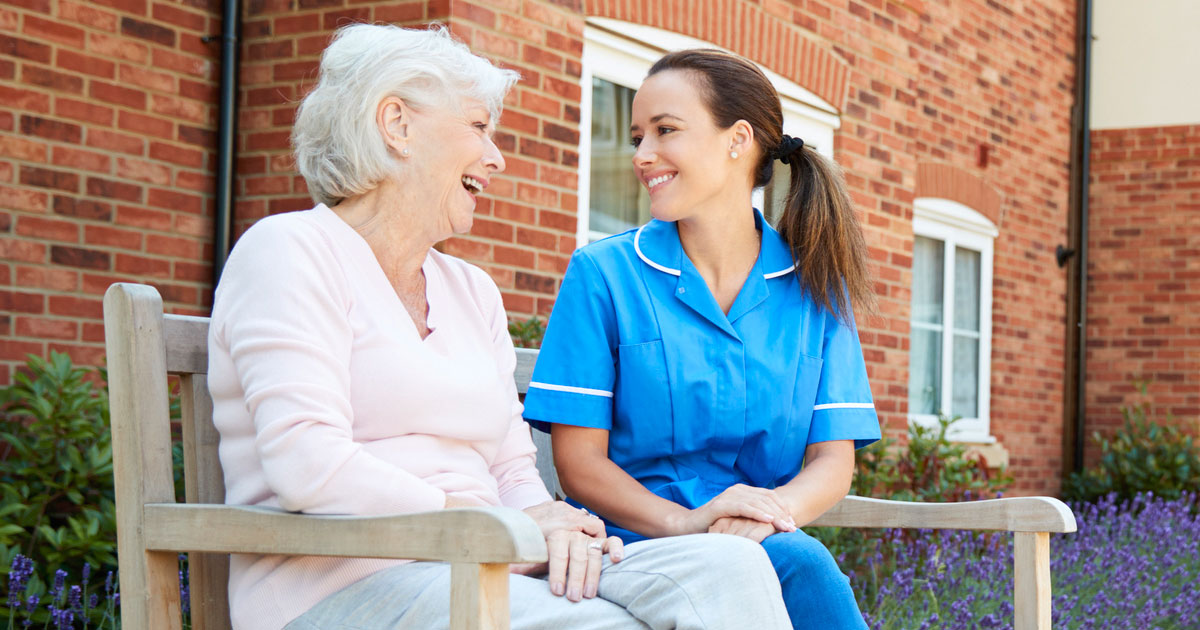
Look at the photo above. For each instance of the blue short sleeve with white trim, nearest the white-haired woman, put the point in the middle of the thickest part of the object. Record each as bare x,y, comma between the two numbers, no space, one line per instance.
573,380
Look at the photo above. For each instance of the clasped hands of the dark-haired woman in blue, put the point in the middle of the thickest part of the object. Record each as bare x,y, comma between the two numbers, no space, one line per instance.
741,511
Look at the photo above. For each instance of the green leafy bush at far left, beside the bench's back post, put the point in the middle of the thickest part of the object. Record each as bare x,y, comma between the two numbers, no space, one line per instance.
57,469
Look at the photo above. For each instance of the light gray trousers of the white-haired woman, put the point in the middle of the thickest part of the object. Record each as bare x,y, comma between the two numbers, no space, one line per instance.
697,583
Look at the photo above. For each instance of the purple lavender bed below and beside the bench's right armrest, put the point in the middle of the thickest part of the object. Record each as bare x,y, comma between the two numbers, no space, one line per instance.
1131,566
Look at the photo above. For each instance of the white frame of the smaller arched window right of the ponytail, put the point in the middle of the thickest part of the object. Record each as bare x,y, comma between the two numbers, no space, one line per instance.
961,226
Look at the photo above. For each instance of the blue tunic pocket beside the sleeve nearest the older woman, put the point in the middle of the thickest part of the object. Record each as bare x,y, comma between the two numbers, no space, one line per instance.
643,421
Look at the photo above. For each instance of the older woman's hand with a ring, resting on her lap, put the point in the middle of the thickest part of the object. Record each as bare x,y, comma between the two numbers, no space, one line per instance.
575,545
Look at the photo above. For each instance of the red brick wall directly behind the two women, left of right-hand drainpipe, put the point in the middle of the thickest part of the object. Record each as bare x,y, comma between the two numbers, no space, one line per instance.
917,82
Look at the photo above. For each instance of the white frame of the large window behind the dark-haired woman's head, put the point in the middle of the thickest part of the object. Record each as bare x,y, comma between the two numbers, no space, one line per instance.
623,52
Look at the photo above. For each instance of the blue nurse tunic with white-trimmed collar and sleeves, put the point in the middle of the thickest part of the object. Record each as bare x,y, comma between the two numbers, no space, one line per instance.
697,401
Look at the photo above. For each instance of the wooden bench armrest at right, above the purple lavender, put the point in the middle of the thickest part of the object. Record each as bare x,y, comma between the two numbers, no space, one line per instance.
1018,514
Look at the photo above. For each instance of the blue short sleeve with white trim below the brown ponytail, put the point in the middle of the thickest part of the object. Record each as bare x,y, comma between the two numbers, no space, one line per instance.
844,407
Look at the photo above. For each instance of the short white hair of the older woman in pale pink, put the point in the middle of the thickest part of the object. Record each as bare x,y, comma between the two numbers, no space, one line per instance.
338,146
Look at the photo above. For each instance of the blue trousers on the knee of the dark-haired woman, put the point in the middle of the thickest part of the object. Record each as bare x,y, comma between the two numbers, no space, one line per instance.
817,593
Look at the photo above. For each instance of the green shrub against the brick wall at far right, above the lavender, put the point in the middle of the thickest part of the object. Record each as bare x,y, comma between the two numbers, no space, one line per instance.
1142,457
